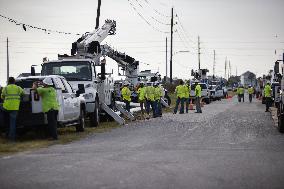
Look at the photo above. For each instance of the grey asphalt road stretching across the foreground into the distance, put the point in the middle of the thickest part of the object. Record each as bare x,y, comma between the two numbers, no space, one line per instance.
231,145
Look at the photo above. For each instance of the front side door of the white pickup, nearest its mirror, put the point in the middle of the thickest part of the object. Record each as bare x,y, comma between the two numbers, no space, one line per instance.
74,102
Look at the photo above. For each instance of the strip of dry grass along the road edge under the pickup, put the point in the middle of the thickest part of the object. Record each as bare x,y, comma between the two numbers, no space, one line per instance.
32,140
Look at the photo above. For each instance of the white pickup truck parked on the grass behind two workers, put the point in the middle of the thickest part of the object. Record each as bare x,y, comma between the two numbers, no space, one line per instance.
72,107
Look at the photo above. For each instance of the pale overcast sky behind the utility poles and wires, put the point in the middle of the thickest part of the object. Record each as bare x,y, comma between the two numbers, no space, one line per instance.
246,32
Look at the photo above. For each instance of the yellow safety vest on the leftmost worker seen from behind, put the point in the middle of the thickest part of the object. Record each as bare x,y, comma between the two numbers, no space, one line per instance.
12,97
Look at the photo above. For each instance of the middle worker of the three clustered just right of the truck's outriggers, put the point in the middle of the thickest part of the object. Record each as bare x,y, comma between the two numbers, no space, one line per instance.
150,99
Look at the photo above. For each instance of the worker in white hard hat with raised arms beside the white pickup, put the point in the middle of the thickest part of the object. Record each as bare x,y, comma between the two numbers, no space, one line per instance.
50,104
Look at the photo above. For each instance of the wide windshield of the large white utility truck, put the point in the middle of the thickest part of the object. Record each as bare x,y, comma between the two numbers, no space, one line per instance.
72,71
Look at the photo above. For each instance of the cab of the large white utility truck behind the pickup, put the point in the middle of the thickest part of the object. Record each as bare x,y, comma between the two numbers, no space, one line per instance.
82,72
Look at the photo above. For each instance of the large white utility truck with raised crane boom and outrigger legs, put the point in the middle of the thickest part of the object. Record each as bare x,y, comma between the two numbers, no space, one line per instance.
80,69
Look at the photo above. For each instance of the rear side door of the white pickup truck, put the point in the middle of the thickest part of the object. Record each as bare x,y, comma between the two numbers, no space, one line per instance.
66,104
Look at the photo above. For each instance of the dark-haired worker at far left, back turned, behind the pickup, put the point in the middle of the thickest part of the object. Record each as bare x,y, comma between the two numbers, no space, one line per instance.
11,94
